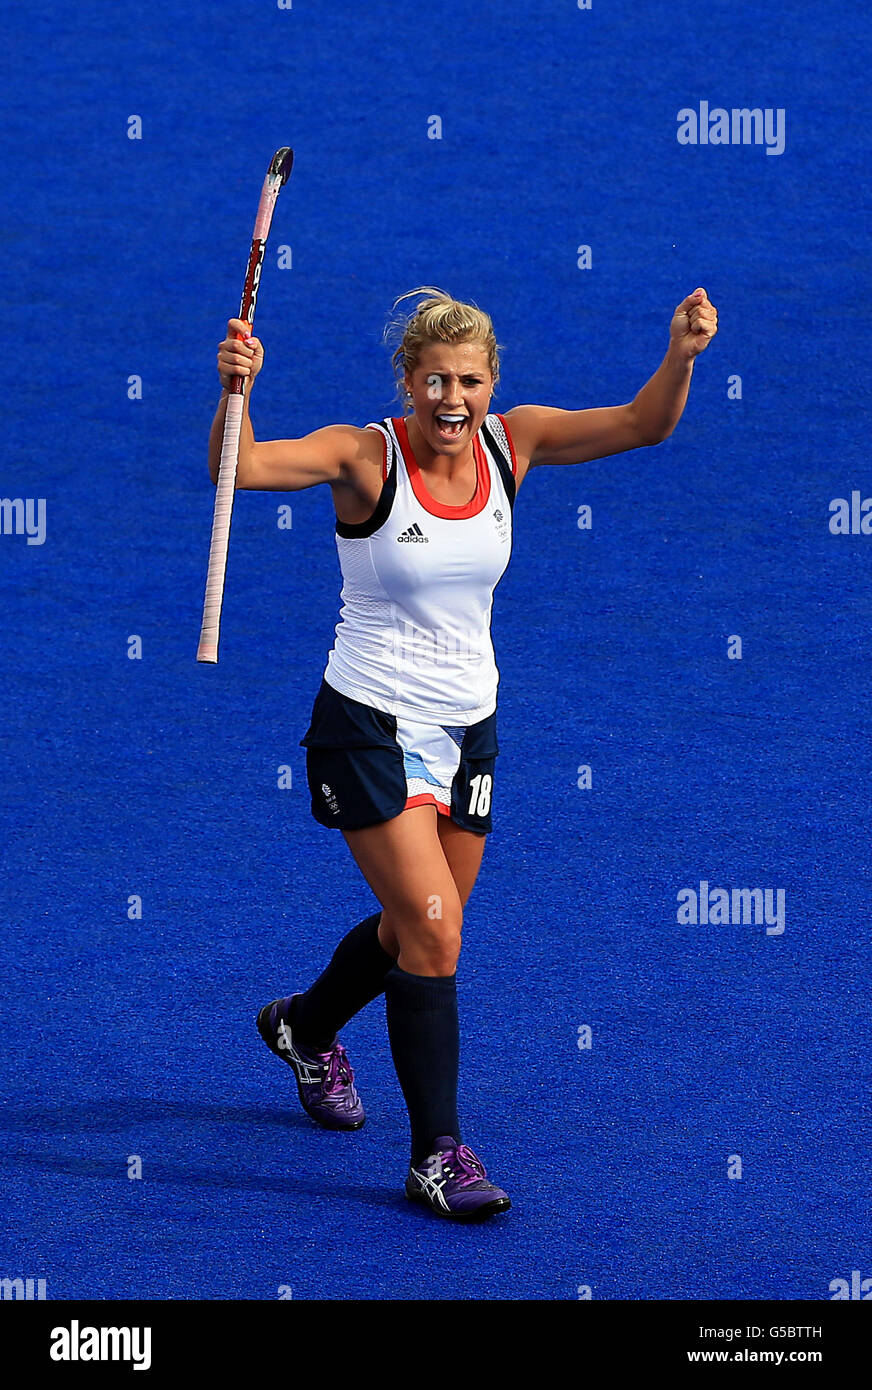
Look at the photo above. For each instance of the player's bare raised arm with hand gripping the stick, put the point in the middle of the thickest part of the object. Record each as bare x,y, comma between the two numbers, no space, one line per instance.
326,455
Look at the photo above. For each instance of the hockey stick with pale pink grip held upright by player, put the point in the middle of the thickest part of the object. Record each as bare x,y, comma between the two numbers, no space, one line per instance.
208,650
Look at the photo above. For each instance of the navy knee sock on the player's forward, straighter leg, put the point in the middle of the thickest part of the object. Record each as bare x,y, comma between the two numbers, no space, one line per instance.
422,1014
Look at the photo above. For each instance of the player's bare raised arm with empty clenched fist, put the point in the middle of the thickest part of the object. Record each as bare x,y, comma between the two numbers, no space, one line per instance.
544,434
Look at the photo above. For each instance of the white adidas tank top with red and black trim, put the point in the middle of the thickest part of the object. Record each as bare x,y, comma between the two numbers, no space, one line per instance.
418,587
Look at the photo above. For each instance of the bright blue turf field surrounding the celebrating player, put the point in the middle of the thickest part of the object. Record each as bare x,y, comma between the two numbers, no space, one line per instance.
158,778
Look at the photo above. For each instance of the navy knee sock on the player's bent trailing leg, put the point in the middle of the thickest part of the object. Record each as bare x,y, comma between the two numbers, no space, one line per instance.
354,978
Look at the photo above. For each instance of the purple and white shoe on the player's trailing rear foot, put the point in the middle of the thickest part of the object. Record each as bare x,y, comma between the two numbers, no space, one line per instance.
325,1081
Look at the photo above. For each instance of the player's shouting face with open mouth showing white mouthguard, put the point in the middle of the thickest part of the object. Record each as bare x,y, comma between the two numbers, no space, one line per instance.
451,380
